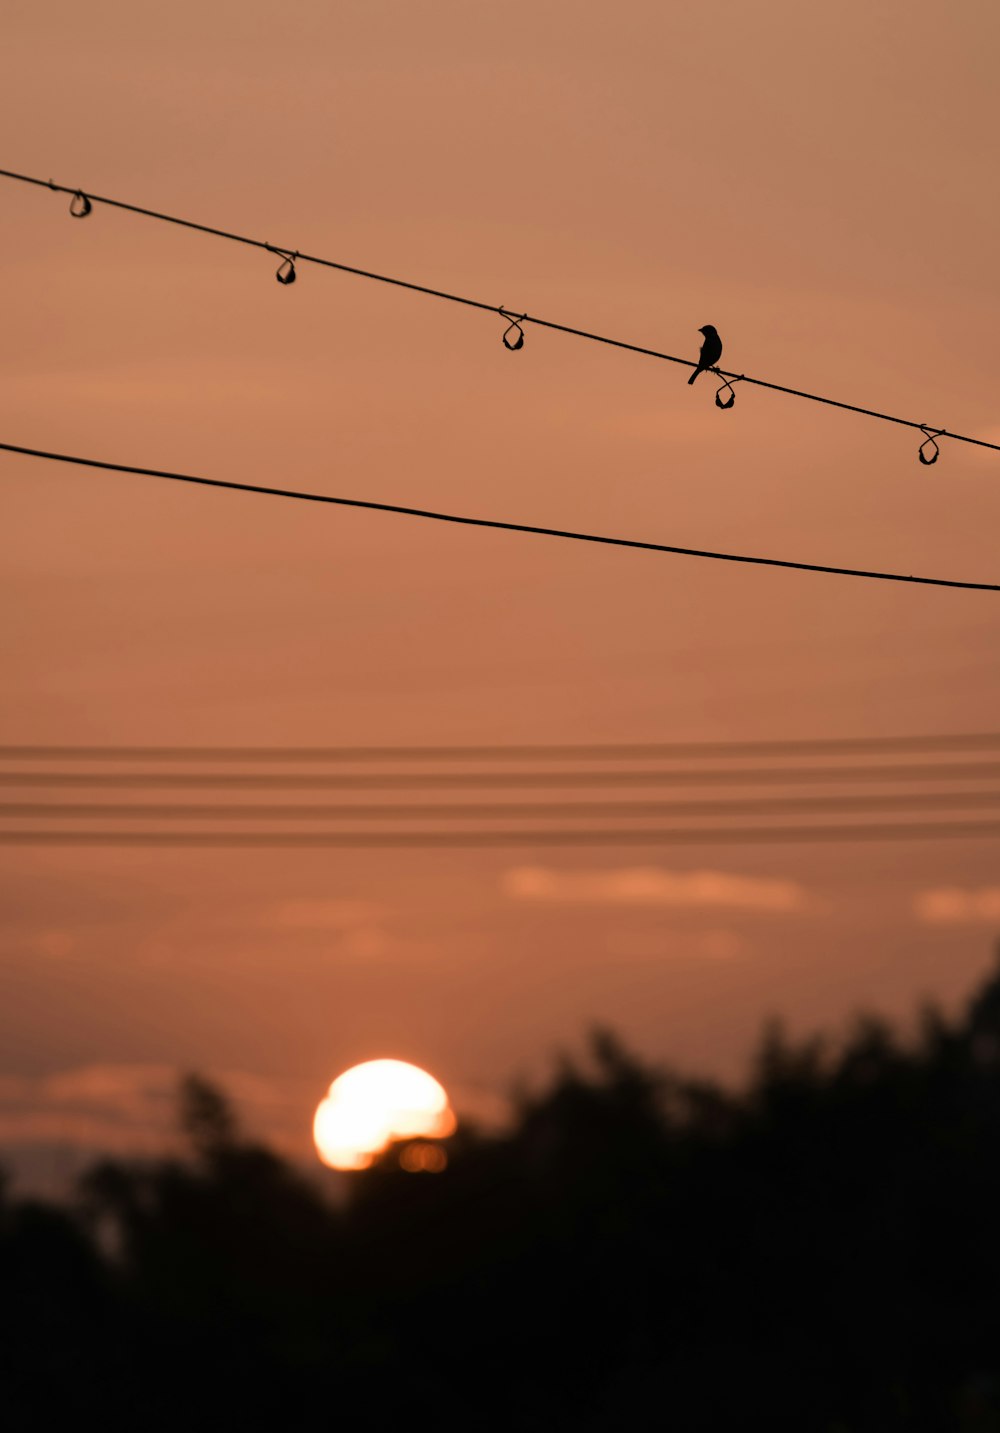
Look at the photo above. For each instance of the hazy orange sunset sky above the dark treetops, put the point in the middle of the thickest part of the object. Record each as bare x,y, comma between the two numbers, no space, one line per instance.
820,184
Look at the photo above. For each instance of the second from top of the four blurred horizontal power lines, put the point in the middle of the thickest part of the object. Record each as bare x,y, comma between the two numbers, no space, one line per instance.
423,780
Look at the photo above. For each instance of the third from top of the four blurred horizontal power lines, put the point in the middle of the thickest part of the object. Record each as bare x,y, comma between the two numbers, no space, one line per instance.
499,812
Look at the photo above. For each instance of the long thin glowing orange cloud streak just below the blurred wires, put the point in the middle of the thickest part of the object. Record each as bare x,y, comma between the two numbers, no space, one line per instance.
653,886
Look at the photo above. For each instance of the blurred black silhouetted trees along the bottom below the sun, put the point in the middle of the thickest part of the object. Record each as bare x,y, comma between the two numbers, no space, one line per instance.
640,1252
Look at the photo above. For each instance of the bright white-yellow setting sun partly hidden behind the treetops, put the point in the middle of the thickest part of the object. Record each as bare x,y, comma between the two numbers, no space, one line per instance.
372,1106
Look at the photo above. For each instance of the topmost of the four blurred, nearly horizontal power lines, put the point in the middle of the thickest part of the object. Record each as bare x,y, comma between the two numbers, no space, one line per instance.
537,752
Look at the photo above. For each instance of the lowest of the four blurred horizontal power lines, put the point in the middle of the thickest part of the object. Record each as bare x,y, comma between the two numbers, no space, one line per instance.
441,840
